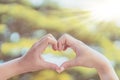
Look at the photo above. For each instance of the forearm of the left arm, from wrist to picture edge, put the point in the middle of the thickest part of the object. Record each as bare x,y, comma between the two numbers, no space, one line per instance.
10,69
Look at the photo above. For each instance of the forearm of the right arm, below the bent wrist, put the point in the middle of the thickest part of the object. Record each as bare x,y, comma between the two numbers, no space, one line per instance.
104,67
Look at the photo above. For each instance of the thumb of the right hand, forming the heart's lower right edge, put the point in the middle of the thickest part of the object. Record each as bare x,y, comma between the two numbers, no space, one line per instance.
66,65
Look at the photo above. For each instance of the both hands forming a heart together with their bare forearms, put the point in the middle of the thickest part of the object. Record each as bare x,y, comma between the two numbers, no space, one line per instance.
32,60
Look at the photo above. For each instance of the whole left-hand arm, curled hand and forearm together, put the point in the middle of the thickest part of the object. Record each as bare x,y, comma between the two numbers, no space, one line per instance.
31,61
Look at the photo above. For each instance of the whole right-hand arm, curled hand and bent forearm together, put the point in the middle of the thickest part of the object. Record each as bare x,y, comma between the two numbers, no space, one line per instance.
86,57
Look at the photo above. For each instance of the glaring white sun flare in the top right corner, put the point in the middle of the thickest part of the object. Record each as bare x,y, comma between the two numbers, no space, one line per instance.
109,10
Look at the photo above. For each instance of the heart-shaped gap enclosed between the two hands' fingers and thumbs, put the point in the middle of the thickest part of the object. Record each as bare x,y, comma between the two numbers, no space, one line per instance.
58,57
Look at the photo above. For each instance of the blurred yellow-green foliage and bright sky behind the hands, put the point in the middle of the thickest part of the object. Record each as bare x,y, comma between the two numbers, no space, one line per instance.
95,22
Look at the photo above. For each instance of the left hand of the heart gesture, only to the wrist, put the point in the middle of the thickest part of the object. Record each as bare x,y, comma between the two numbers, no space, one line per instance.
33,61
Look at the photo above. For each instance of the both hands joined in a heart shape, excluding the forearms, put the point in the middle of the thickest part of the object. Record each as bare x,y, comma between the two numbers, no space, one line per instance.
85,56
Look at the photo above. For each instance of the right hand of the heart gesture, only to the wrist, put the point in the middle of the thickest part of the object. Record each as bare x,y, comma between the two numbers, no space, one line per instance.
85,56
